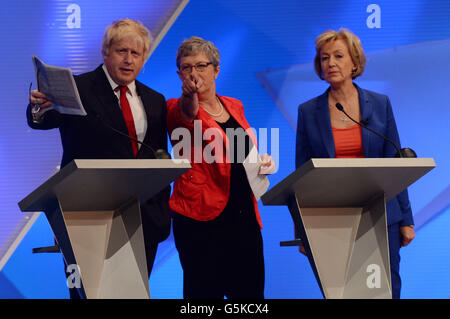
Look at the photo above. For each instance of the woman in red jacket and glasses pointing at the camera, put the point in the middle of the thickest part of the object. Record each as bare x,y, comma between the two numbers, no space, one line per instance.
216,222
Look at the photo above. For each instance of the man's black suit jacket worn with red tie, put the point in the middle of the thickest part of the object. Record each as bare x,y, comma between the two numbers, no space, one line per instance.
86,137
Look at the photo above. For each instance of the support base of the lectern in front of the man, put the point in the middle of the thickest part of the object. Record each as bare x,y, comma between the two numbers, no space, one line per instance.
109,251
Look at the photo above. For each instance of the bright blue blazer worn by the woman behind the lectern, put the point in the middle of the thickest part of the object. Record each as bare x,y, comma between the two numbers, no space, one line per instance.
315,139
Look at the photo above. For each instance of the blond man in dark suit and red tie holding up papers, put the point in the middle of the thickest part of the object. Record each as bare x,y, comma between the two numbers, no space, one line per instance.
112,97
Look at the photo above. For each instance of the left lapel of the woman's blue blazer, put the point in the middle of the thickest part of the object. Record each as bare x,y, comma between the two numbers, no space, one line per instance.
324,124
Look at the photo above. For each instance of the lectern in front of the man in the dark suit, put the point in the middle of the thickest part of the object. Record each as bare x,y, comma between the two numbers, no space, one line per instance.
93,209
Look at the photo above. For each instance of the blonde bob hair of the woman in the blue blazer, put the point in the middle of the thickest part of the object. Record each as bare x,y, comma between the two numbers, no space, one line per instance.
354,47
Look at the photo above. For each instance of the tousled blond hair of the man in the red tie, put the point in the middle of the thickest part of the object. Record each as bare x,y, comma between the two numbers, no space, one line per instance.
123,28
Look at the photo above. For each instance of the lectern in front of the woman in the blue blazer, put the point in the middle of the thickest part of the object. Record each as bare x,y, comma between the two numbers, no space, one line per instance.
339,211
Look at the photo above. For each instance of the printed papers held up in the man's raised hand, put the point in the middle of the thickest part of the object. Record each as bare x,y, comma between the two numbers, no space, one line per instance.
59,86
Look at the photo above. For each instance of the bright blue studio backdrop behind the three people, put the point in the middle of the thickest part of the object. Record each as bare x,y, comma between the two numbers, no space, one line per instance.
267,49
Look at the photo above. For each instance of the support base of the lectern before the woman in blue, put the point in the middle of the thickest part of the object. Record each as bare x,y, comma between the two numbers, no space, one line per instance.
347,248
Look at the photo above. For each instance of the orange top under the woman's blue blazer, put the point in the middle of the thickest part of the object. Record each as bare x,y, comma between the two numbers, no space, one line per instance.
348,142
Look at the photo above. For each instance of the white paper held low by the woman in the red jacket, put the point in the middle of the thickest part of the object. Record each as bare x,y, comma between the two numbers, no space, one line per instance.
258,183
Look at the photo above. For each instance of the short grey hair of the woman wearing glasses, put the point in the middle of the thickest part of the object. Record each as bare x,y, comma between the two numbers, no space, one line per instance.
195,45
